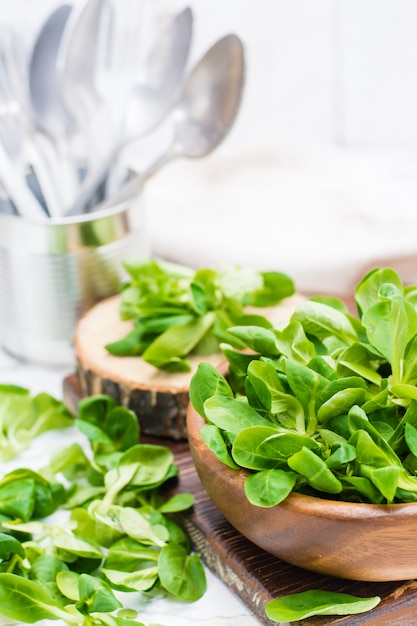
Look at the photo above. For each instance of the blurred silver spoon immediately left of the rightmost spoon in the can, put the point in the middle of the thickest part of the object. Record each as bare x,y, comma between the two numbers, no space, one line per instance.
150,99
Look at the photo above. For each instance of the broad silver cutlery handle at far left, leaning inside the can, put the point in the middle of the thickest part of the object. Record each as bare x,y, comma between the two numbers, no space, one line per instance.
23,199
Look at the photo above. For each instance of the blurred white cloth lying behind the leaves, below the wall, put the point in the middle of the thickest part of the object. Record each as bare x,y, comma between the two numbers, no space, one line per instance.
322,215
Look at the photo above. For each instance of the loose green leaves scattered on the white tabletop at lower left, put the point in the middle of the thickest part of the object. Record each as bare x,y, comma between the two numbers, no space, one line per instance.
95,521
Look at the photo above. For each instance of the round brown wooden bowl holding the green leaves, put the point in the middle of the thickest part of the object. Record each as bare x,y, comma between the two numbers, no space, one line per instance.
365,542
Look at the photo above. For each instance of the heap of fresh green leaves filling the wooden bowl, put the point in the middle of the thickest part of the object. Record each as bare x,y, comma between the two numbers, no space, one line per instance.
326,406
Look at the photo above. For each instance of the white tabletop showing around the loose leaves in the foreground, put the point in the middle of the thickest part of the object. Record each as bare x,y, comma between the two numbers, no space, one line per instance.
218,606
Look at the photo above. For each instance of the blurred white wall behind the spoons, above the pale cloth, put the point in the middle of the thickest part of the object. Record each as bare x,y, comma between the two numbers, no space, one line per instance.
327,71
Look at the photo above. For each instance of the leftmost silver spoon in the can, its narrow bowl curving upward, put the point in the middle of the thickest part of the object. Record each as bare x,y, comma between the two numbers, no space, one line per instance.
50,113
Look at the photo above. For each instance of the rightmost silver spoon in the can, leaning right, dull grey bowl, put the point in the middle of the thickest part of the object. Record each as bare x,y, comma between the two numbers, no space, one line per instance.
204,114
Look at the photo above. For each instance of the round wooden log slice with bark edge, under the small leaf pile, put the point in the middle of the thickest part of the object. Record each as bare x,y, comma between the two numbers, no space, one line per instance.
158,398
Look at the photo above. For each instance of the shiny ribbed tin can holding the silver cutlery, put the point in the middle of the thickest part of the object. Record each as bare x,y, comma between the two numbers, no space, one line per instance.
54,269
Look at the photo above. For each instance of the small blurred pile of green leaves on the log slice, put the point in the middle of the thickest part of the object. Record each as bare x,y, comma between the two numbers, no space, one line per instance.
178,312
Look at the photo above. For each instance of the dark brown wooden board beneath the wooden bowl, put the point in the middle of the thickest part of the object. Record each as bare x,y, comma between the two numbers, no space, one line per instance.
256,576
